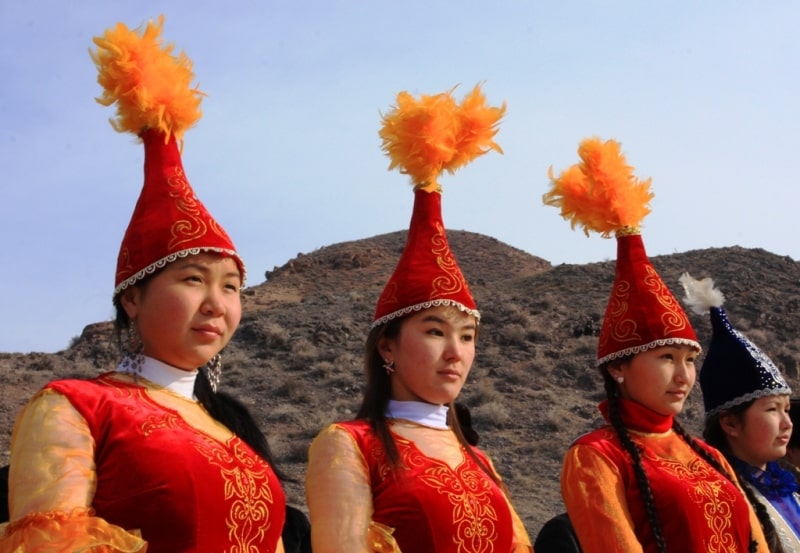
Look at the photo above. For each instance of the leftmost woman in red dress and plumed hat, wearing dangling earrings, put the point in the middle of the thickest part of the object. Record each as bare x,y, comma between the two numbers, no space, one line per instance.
151,456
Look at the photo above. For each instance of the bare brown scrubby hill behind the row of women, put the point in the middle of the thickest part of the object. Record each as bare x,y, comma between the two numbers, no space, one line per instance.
296,358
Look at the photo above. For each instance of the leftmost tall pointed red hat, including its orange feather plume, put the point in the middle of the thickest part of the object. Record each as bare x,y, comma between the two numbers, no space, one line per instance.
157,103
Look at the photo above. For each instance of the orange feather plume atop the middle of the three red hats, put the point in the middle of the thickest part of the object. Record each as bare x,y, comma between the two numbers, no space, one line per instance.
426,136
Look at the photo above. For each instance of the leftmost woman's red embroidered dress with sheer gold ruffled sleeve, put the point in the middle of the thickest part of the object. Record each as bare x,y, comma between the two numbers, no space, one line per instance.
148,471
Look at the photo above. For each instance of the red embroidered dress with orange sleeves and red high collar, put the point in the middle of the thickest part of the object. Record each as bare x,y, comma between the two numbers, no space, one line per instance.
700,510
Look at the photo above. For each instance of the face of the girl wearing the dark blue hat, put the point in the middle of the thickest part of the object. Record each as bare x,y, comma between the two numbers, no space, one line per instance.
759,434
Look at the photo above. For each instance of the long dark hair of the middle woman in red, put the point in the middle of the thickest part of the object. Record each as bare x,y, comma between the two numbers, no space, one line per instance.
378,391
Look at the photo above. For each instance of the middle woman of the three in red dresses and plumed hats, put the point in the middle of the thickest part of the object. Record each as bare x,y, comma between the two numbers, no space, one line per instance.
402,476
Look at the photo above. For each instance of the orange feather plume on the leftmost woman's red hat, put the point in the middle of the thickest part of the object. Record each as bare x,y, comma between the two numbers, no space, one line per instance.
151,86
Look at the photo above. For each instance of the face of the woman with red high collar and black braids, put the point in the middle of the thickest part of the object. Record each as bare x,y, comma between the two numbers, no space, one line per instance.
659,378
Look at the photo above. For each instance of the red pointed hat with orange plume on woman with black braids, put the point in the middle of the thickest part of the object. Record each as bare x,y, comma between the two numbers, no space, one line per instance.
601,194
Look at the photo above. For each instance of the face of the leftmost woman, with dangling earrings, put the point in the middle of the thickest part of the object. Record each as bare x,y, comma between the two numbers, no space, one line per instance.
188,311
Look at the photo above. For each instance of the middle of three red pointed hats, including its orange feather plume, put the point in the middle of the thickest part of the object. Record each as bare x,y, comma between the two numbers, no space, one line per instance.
424,137
